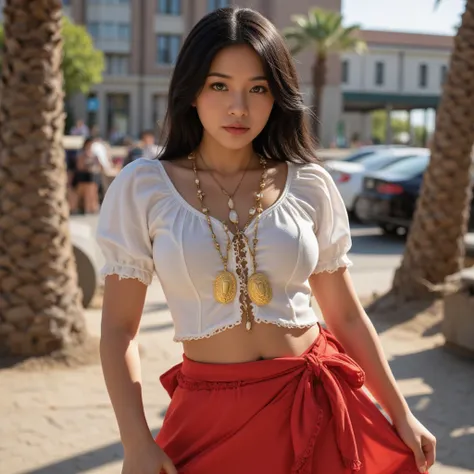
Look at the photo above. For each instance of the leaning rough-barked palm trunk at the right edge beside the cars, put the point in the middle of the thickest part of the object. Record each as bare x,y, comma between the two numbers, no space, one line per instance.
435,247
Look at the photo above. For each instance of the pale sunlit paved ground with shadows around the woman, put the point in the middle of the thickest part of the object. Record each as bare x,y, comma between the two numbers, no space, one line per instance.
61,422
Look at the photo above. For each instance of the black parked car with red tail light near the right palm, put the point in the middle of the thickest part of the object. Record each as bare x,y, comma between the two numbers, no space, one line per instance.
389,196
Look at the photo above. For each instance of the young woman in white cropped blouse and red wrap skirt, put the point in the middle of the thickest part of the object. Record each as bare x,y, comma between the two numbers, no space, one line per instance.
242,225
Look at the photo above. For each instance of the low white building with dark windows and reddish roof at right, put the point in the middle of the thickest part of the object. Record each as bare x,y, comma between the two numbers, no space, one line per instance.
399,72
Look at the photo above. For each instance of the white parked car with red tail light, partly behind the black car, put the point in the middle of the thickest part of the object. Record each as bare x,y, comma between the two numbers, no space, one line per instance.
349,176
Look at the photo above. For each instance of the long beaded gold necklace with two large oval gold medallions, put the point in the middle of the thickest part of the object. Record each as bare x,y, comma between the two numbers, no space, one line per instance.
258,286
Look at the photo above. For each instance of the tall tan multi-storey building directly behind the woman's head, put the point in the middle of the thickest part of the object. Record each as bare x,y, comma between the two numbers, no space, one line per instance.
141,39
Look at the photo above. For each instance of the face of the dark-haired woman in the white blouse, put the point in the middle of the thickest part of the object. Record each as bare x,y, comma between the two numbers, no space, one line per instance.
235,102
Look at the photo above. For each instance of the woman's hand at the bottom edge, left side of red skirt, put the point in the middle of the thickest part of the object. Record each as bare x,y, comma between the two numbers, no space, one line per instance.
147,459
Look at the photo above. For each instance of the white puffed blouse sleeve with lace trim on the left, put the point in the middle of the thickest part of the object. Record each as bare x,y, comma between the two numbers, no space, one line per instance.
122,232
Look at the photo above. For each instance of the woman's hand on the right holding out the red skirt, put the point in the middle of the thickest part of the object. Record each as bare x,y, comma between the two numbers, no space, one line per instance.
419,440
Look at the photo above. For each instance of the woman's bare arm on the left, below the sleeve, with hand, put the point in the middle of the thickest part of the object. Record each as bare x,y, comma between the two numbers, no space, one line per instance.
122,309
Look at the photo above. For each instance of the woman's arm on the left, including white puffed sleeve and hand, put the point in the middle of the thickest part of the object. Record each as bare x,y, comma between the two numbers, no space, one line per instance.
123,236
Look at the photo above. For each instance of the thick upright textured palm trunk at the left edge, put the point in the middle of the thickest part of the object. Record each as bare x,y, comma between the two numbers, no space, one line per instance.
40,303
